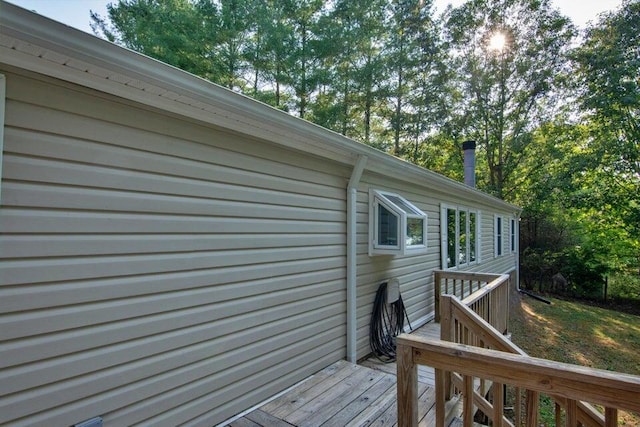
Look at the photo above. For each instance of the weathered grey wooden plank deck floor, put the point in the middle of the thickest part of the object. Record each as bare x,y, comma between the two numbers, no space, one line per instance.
344,394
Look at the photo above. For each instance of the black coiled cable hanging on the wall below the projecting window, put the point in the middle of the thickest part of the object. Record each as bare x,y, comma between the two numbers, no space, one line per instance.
387,322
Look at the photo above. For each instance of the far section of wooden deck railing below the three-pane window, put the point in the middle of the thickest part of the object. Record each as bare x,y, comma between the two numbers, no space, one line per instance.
486,294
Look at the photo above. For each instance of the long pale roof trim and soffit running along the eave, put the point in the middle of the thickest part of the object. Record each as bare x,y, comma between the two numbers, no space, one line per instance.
41,45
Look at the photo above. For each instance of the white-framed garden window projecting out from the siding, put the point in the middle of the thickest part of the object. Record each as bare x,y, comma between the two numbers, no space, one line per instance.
396,226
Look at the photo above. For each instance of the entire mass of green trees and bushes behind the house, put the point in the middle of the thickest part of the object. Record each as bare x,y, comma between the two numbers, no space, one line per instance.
557,129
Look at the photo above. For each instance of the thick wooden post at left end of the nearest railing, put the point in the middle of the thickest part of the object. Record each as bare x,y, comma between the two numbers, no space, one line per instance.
407,387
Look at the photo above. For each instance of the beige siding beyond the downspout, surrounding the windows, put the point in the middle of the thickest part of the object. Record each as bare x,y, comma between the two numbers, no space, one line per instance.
415,273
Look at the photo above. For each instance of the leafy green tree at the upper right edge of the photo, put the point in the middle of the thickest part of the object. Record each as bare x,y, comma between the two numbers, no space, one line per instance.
608,64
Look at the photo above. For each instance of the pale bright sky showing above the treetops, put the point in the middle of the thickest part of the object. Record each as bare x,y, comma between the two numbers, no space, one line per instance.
75,13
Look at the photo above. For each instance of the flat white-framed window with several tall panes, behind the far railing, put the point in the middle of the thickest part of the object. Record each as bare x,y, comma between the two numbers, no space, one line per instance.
460,232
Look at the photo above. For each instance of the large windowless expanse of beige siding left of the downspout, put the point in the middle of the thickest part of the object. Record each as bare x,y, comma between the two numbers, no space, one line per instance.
155,270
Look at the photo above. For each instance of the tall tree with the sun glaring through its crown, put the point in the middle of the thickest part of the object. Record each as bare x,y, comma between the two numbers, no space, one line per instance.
506,90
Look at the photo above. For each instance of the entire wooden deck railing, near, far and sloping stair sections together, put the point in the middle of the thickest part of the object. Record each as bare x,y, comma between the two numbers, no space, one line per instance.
474,327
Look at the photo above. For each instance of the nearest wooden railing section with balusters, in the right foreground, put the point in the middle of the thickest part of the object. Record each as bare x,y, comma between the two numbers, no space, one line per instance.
572,383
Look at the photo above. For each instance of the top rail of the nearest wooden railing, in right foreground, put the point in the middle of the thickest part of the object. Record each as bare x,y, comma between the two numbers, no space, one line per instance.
612,389
